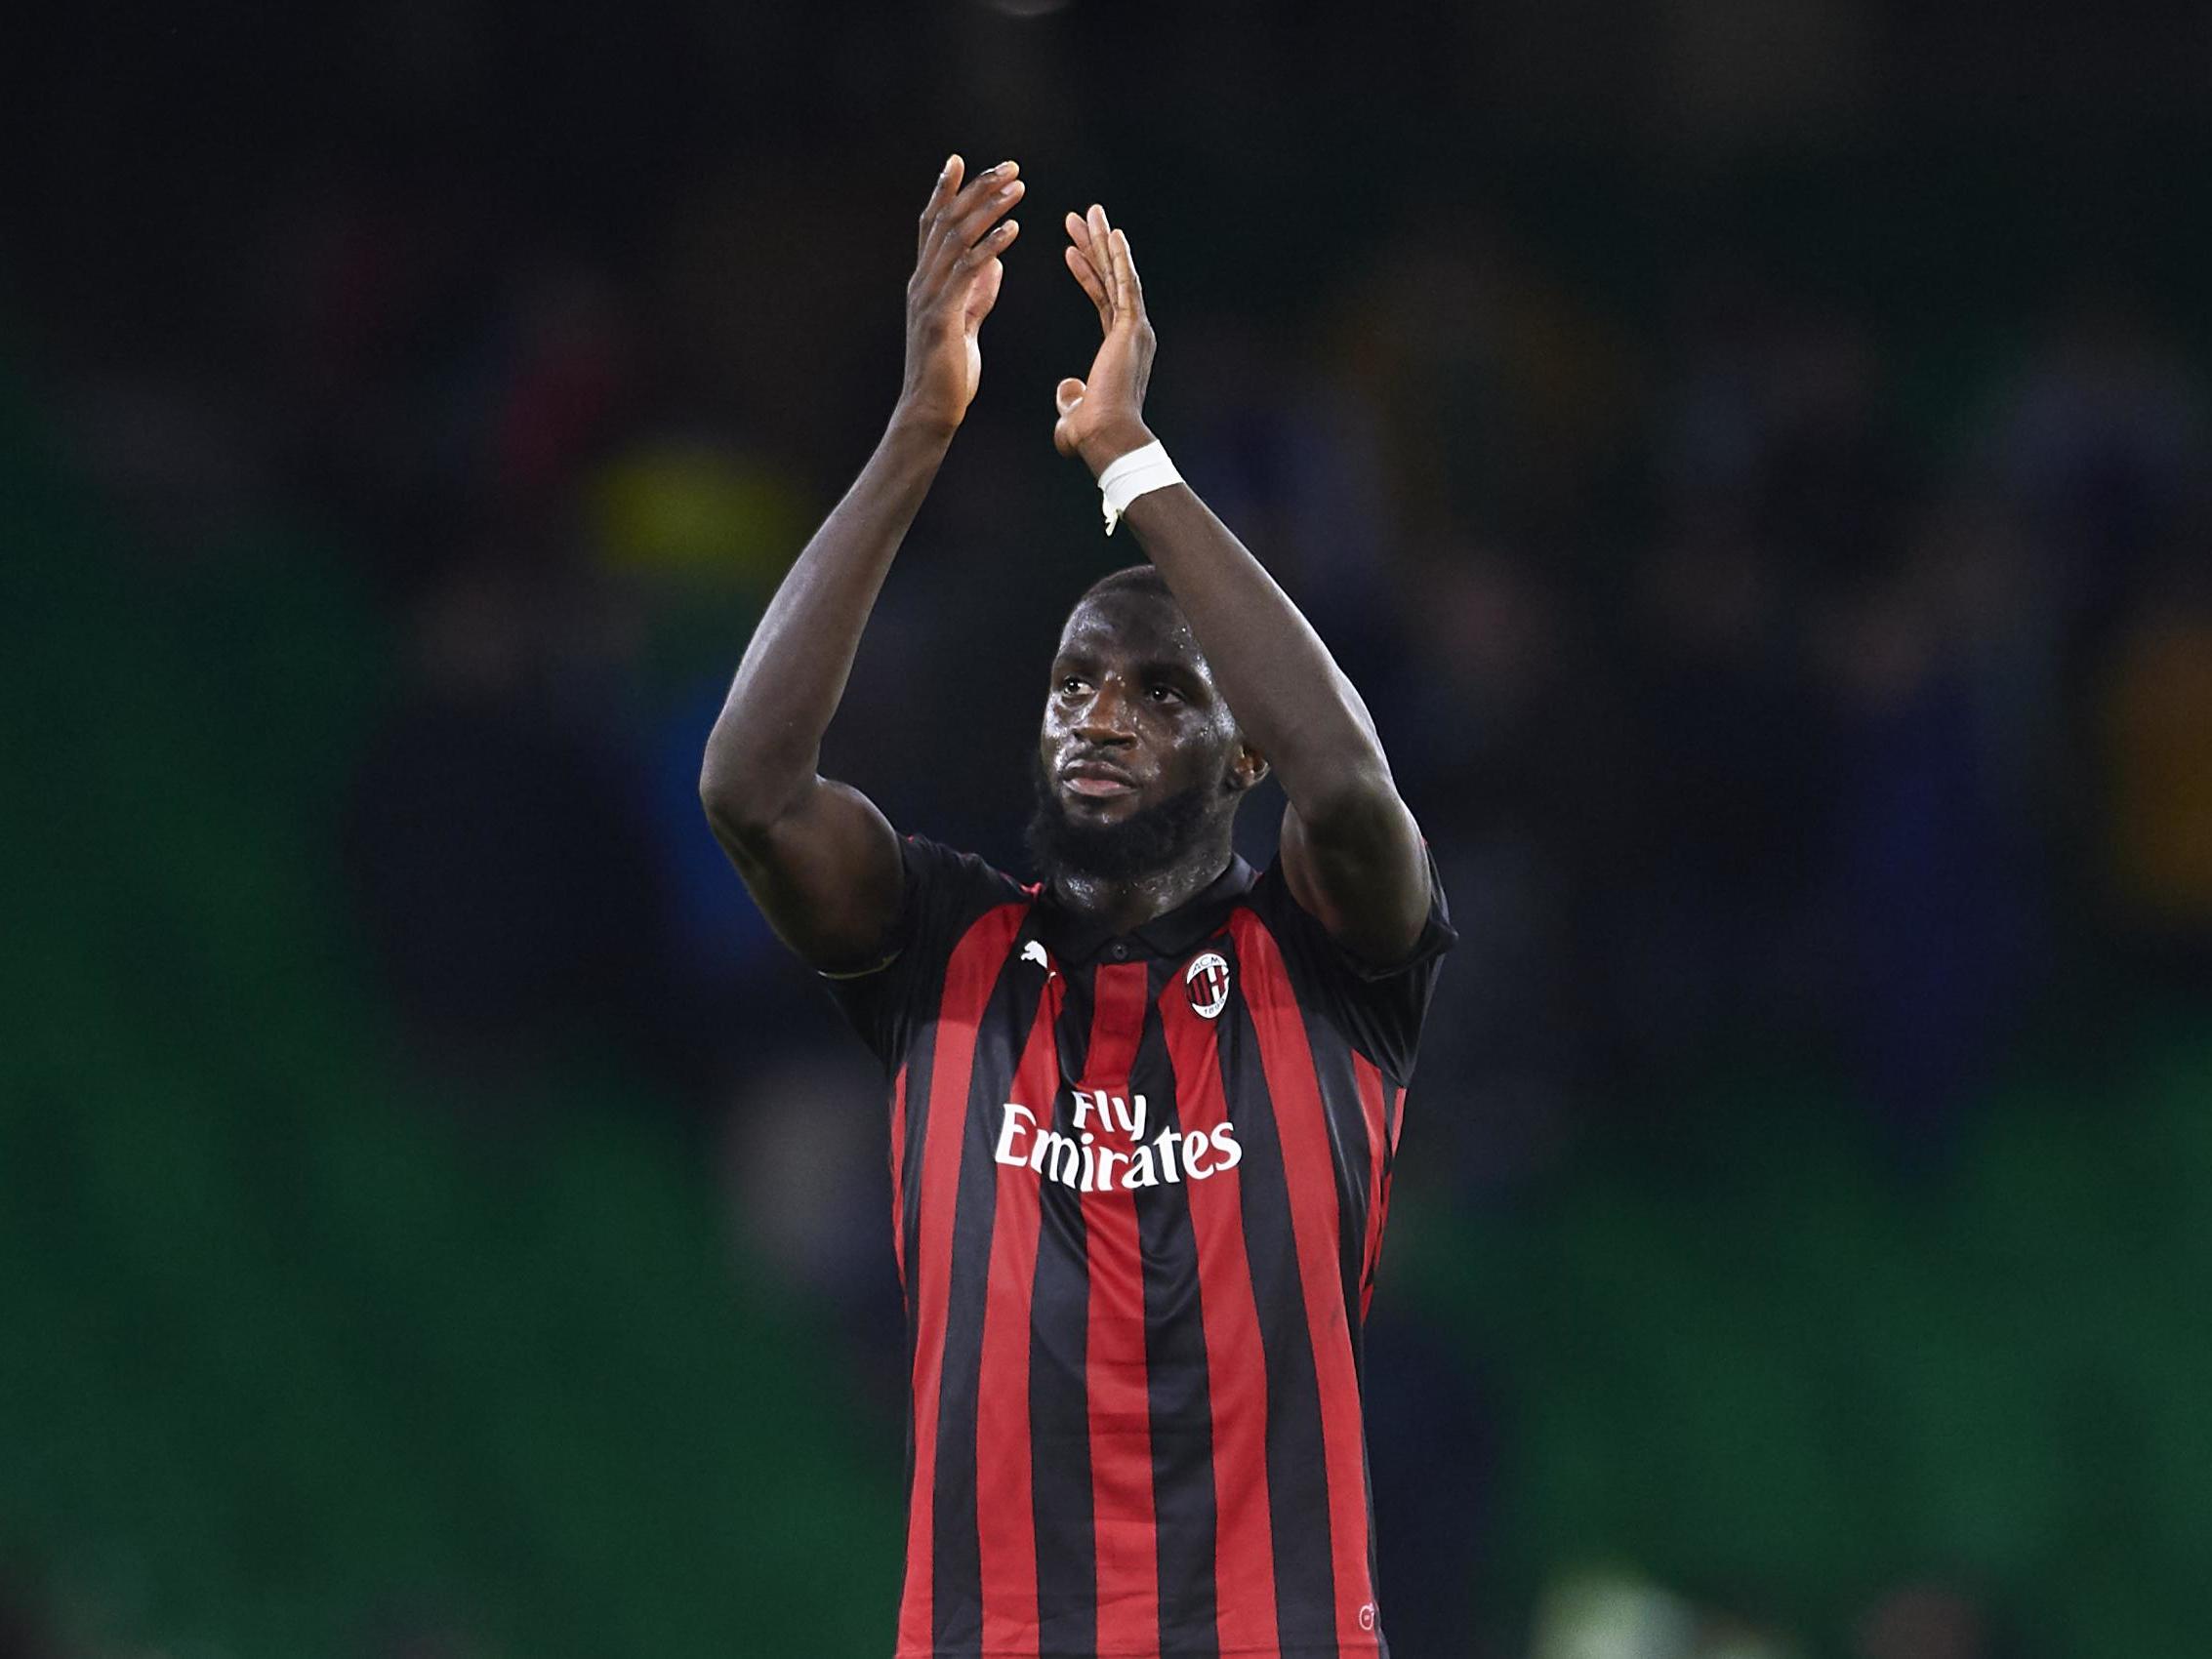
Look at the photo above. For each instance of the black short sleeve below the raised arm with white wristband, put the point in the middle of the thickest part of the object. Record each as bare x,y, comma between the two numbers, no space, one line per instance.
1381,1012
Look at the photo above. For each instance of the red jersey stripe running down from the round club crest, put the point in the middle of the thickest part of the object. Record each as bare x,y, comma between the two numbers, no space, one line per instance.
1238,1386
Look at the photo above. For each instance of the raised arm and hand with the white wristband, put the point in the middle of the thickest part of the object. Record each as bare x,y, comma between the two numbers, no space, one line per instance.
1353,853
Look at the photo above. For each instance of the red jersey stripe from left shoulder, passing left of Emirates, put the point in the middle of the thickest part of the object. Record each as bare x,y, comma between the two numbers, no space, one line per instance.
970,974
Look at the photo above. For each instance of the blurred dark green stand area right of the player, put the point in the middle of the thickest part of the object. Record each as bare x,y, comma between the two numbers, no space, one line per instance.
1744,1359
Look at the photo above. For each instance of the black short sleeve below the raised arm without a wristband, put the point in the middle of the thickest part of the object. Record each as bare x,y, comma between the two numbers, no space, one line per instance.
943,890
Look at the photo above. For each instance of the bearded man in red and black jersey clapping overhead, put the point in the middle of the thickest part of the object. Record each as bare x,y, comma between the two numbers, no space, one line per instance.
1145,1109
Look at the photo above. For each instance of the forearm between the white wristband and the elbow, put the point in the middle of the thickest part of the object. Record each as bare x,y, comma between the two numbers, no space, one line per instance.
1277,676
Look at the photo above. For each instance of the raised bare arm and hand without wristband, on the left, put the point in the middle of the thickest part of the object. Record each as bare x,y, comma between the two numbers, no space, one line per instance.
820,857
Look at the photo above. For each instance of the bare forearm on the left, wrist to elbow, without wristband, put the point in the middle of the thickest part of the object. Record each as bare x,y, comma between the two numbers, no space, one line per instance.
769,738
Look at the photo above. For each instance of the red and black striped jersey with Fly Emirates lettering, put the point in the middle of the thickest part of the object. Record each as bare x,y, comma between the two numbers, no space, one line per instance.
1138,1204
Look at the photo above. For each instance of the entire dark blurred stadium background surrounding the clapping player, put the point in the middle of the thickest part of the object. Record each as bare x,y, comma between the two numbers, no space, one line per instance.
1751,452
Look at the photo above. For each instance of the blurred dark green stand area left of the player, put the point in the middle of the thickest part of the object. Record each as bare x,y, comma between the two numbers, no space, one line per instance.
291,1344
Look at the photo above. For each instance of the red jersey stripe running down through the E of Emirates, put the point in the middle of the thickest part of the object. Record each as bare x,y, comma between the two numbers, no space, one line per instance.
1008,1538
